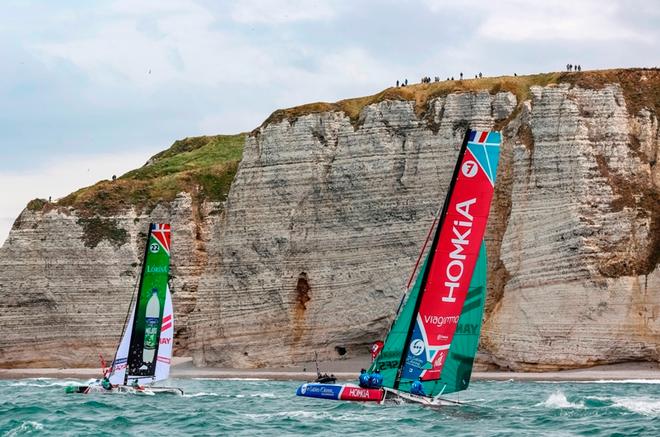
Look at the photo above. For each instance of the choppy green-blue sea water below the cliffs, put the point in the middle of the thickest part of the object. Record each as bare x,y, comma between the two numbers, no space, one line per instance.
261,407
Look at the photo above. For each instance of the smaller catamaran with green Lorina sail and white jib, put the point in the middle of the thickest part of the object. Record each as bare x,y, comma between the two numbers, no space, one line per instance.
145,351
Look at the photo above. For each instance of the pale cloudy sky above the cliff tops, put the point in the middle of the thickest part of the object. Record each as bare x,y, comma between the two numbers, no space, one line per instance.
92,89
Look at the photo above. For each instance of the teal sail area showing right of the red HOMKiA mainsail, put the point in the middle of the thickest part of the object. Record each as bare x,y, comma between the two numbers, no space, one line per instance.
457,369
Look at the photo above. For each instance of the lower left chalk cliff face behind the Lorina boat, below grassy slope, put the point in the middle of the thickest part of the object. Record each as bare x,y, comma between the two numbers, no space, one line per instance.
66,290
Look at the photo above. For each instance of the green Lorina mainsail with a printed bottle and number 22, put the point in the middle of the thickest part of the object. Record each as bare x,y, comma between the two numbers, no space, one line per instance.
150,302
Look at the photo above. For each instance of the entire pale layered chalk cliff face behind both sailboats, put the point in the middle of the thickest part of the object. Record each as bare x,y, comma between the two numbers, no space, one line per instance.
326,214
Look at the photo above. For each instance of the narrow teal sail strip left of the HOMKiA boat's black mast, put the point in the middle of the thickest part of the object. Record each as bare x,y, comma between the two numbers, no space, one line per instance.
389,358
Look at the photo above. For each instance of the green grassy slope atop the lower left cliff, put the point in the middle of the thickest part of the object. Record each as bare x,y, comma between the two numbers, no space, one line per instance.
203,166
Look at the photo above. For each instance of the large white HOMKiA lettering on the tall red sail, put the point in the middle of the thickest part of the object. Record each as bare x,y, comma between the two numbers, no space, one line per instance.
461,230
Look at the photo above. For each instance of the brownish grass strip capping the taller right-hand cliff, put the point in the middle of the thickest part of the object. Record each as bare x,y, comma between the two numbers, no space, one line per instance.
641,87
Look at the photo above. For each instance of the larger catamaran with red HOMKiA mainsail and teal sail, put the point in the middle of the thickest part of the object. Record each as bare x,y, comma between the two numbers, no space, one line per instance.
430,348
